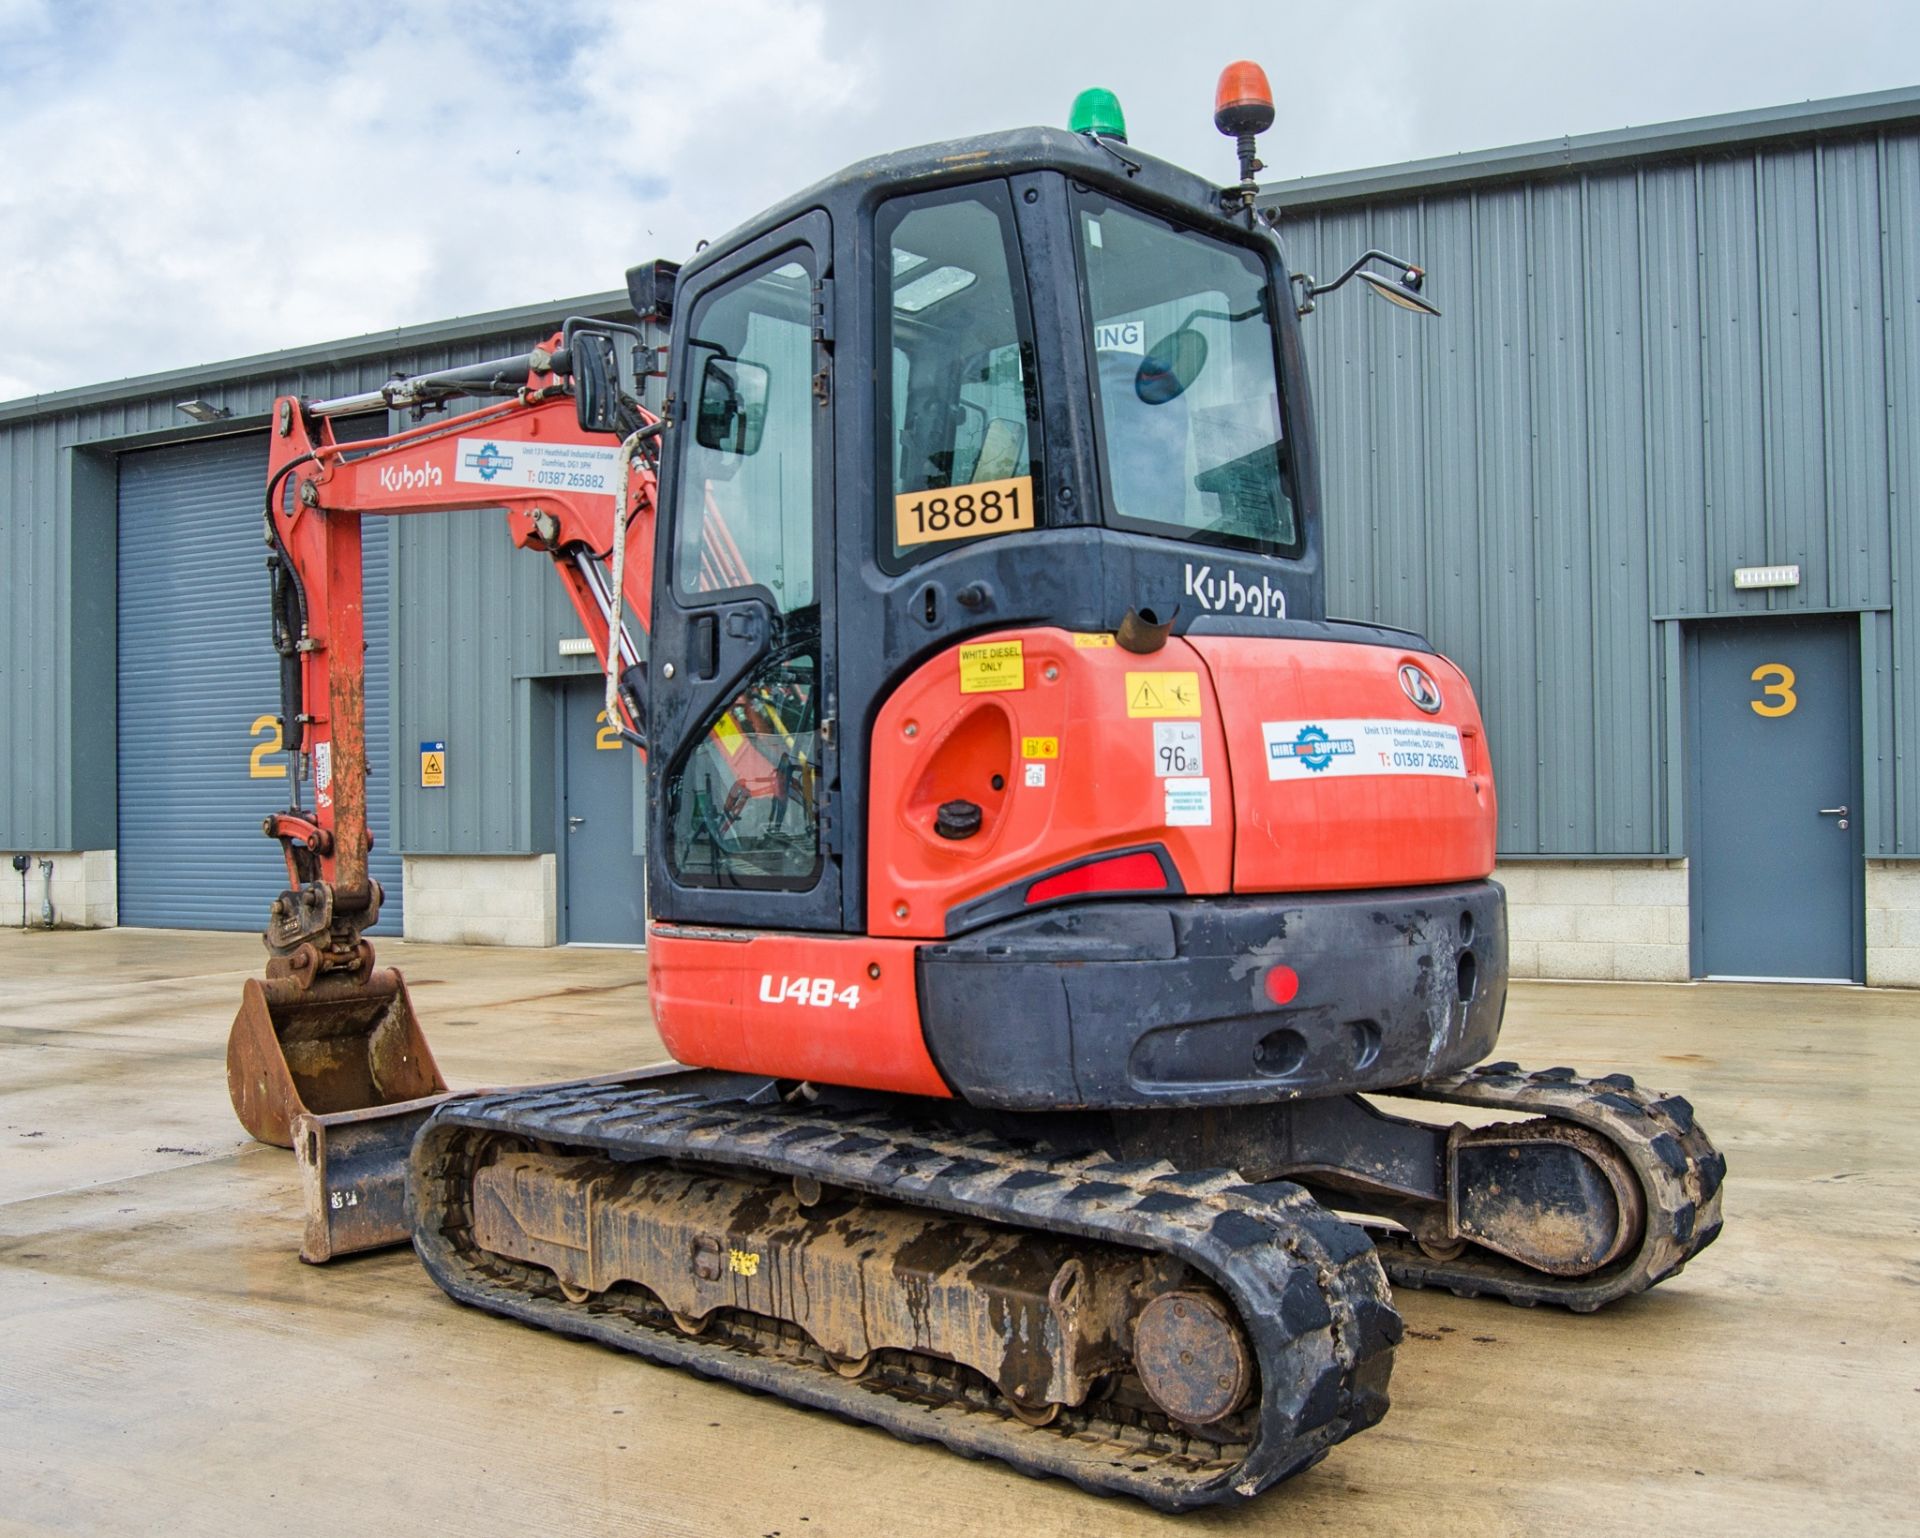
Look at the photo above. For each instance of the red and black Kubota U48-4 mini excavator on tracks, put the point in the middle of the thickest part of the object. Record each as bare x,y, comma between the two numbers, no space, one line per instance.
1038,877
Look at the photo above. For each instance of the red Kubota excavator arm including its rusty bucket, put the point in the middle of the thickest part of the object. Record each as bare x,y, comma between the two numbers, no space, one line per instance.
567,452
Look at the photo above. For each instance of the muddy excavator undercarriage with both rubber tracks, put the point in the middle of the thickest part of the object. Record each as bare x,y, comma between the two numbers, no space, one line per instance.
1157,1305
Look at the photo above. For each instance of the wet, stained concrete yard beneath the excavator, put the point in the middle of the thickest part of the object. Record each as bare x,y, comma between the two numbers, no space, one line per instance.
170,1368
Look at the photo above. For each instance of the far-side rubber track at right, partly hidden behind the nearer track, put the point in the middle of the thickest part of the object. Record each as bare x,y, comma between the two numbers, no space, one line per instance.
1677,1165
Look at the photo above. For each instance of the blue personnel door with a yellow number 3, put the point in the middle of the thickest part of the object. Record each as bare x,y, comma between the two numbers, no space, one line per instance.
1777,853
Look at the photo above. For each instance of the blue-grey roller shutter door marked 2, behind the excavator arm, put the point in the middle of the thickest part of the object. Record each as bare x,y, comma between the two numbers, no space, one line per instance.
199,688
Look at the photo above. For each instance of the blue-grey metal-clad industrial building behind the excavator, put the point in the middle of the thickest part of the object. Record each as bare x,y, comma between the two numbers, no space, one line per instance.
1652,479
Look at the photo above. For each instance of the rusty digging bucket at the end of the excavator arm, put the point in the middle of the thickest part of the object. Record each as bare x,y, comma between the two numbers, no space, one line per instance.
316,1049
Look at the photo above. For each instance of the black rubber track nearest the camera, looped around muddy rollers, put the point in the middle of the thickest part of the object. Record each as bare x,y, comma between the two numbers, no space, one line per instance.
1307,1286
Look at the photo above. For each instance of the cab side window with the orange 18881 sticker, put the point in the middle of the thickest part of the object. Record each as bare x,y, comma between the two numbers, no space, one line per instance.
959,397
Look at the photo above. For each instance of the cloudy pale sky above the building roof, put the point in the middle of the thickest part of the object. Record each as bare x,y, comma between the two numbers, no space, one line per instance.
187,181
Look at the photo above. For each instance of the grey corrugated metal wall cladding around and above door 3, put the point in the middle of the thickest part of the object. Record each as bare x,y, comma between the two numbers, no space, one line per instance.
1646,375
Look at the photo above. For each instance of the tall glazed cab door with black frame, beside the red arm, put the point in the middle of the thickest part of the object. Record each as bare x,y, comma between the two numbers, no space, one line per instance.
742,686
